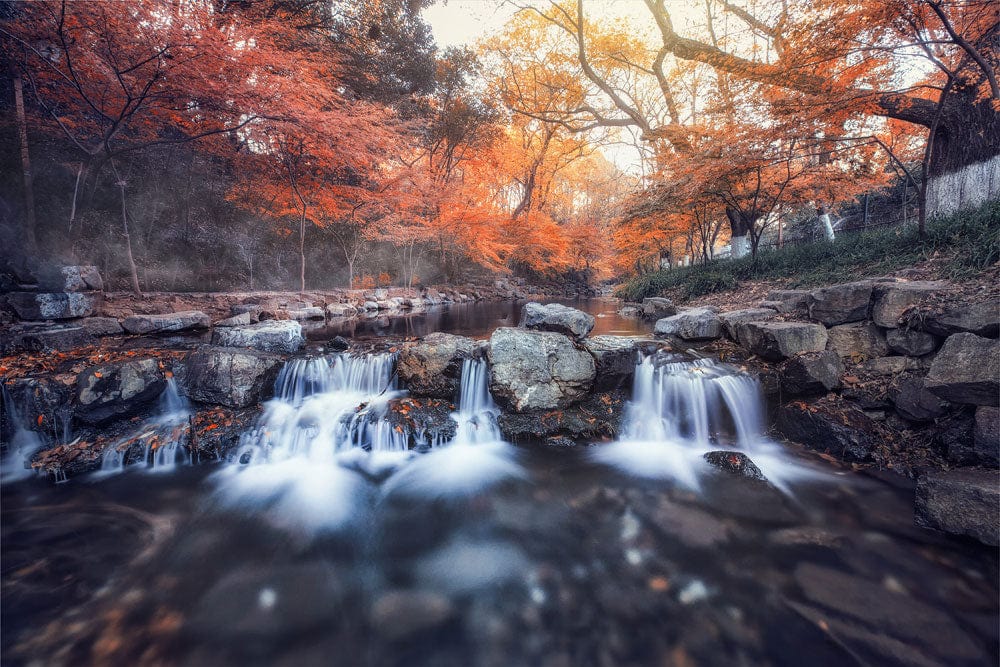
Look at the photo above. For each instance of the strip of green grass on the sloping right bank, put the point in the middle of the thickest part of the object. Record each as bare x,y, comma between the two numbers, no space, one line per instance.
970,239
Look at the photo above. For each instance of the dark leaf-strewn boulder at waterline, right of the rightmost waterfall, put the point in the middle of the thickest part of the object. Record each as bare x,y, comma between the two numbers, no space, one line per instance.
832,427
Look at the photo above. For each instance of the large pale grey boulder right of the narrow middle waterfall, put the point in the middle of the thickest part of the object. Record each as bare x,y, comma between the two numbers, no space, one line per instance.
538,370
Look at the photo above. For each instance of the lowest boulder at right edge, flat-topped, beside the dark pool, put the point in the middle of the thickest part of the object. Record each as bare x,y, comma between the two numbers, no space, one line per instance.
961,502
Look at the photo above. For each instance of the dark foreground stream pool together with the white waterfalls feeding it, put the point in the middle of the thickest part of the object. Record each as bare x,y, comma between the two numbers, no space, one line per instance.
327,540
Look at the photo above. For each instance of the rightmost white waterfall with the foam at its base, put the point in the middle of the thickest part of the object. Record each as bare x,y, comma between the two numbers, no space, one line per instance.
680,411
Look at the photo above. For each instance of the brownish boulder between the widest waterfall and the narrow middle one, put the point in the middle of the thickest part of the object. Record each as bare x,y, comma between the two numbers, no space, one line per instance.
433,367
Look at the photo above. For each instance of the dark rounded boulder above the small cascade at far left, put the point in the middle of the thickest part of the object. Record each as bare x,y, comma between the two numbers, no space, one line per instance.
104,393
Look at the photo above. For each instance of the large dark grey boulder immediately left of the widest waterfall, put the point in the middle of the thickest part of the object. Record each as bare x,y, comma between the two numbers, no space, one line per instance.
225,376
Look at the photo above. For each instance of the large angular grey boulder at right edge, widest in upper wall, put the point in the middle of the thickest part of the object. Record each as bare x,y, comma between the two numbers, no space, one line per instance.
967,370
